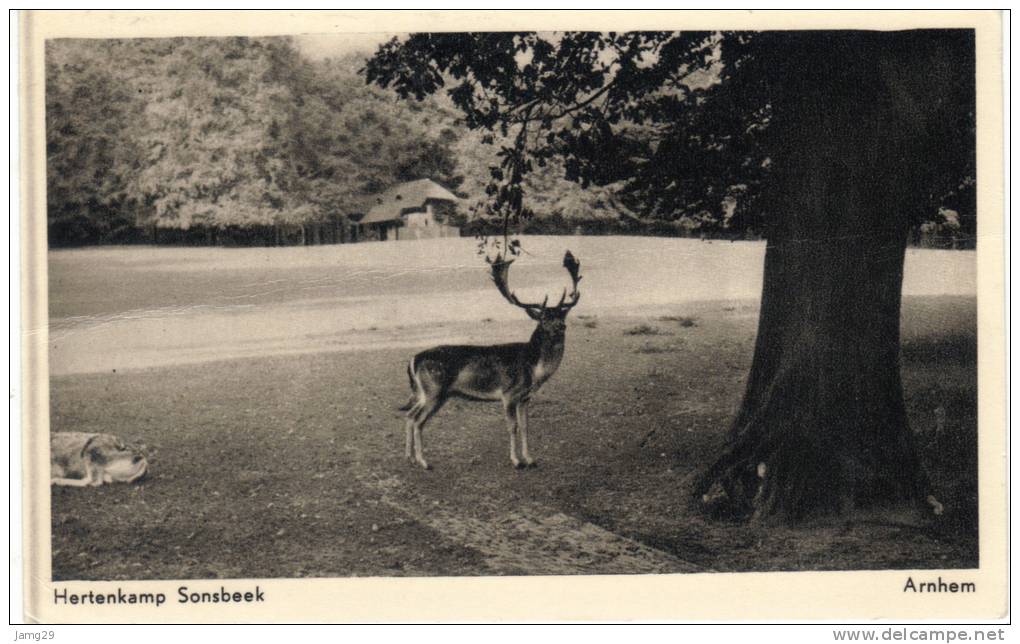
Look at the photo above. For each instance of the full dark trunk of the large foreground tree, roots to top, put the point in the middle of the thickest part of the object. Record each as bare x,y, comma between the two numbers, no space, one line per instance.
824,428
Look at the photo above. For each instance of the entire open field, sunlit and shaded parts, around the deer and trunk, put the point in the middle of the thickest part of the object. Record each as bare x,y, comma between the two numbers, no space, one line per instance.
269,381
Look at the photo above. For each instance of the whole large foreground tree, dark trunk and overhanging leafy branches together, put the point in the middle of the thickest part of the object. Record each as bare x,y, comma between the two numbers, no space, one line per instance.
832,143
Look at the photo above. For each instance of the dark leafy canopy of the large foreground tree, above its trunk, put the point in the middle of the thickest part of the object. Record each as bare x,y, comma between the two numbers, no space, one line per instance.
692,126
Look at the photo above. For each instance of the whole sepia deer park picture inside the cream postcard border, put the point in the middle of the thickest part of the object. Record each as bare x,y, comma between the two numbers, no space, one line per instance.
484,304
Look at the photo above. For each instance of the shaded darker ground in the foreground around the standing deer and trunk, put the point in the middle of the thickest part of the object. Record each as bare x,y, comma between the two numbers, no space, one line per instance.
291,464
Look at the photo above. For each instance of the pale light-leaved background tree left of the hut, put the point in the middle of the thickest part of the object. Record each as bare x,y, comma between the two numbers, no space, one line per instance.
215,135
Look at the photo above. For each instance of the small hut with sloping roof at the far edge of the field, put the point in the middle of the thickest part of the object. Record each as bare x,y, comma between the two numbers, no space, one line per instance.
416,210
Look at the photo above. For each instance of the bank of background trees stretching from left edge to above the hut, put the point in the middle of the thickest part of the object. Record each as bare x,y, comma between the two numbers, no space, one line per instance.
223,133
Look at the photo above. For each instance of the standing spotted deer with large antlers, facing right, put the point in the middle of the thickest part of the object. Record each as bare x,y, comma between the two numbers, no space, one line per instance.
506,373
